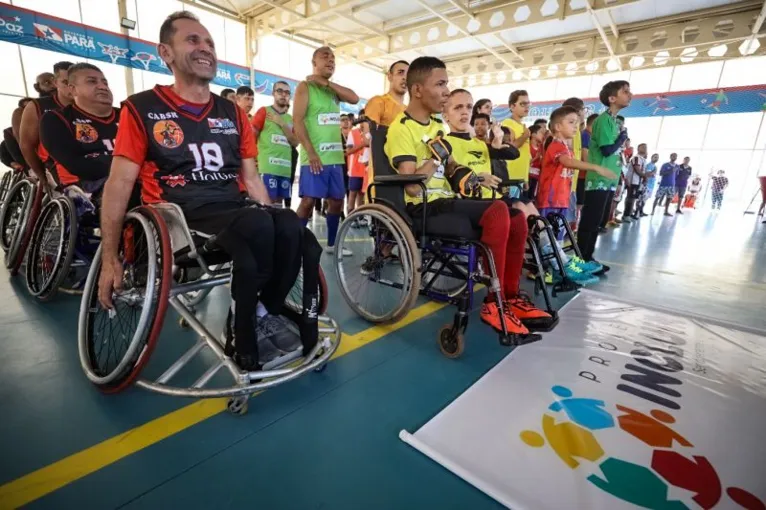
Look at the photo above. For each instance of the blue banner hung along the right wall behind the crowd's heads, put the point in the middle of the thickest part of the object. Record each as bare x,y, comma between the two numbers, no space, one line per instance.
669,104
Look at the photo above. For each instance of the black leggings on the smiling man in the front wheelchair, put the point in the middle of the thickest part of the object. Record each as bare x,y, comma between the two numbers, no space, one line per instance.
265,246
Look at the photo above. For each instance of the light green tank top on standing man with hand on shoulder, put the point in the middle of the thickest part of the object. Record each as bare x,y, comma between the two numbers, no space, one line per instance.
323,126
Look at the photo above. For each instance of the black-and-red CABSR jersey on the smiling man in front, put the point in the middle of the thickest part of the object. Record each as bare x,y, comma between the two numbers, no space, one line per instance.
190,154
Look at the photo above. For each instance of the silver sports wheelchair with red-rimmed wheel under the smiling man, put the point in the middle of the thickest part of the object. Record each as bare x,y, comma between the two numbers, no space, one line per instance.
166,263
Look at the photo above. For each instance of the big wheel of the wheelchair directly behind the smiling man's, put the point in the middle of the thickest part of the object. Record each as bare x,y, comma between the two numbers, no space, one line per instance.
52,248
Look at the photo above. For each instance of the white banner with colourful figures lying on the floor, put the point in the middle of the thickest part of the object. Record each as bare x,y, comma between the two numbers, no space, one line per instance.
621,406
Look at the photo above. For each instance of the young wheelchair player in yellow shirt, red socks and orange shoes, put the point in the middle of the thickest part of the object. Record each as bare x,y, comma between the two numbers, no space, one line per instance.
415,144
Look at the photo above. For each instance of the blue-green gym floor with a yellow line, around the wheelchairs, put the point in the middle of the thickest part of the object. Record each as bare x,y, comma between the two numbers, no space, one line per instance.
327,440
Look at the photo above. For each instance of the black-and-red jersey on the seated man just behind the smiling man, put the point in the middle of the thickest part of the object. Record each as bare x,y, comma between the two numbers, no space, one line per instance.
79,144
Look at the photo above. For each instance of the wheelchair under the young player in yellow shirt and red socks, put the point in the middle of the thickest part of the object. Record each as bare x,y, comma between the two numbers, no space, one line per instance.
413,256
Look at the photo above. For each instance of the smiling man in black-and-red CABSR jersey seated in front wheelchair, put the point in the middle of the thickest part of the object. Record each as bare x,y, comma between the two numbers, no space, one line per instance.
191,147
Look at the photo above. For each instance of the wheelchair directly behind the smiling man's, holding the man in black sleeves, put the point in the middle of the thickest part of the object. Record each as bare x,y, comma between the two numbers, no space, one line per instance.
63,243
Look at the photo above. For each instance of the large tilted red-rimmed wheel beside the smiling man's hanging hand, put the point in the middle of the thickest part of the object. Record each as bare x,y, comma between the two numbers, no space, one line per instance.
115,345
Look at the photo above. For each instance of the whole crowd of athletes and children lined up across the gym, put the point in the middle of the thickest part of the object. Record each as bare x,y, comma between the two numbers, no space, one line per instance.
181,143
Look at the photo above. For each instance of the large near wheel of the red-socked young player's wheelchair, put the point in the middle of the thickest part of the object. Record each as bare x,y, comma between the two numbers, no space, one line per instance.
389,269
